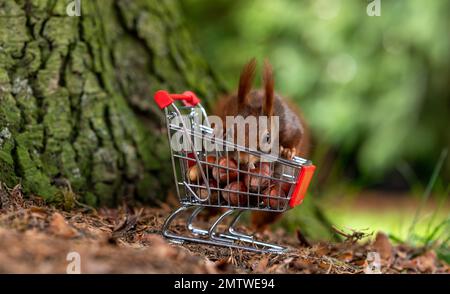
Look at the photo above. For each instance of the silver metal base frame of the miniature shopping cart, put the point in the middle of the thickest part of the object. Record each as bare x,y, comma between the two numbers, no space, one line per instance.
228,238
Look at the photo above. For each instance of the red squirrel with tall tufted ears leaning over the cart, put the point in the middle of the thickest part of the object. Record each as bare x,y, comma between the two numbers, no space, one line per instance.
293,131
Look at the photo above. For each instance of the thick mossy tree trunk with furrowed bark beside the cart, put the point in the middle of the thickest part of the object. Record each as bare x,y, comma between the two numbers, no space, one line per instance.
76,96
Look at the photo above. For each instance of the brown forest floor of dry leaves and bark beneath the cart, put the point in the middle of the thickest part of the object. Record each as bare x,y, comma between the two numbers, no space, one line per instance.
35,238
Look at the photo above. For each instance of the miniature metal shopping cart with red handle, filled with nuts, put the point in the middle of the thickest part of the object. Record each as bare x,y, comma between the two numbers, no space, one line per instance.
210,173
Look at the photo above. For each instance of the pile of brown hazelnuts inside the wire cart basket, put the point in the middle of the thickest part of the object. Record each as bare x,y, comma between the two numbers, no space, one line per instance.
234,183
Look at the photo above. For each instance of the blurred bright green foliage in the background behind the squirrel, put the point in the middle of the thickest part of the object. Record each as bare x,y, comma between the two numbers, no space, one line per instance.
376,89
